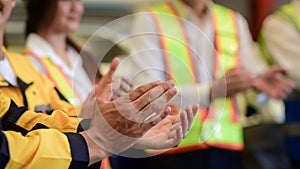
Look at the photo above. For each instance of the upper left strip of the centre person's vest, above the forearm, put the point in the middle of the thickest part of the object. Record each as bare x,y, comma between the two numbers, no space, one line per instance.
177,55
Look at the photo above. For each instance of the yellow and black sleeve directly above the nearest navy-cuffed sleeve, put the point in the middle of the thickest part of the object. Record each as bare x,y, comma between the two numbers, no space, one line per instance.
22,120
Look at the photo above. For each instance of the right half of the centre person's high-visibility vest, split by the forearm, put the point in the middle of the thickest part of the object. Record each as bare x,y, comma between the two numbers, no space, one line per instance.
223,129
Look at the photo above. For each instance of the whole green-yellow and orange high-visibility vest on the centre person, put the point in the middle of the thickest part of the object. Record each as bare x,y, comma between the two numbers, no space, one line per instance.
219,126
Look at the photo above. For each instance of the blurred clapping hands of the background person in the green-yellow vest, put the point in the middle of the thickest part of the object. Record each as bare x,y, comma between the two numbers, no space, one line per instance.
272,82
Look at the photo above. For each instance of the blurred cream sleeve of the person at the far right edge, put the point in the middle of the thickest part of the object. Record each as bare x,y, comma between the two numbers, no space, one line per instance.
282,42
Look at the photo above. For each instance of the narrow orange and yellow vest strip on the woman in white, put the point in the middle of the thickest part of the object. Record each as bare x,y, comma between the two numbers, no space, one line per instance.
57,76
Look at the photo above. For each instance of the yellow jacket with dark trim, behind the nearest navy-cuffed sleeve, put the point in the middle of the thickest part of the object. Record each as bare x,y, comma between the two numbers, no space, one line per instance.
38,94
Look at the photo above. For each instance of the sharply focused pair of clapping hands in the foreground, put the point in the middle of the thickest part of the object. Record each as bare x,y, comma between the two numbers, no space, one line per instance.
142,118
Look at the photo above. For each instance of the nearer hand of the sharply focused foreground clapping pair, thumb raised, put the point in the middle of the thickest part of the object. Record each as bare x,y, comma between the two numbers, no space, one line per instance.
123,121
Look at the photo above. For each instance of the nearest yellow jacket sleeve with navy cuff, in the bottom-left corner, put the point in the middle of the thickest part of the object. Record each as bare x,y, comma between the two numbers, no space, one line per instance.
46,148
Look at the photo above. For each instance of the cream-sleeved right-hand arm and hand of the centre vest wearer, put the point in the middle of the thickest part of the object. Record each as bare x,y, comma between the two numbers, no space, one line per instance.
269,80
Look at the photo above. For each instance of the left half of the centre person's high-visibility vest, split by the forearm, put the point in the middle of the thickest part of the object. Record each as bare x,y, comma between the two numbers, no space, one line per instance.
178,58
